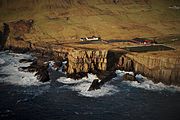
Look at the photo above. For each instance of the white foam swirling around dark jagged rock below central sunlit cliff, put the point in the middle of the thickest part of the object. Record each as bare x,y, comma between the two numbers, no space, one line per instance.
82,86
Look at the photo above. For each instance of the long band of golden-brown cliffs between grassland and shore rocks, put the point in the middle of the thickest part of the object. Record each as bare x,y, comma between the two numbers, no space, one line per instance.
159,66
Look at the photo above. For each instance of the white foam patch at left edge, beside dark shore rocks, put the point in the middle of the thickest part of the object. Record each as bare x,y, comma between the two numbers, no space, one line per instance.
14,75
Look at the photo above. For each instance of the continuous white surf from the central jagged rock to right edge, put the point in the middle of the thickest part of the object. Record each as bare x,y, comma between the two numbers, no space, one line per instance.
111,87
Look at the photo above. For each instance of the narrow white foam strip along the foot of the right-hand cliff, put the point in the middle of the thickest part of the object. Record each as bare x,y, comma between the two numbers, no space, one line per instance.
147,84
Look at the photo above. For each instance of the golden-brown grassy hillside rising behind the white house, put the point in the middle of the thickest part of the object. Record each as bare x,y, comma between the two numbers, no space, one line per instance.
68,20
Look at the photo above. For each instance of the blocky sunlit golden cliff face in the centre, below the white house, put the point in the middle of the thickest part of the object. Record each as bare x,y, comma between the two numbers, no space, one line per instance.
86,61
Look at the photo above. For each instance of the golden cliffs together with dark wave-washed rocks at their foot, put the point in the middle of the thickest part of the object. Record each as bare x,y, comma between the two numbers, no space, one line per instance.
82,61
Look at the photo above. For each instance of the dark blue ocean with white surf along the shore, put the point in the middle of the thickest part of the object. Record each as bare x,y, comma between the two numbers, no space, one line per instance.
23,97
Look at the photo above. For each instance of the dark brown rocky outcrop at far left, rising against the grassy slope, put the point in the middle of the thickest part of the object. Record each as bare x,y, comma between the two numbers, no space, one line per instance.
13,35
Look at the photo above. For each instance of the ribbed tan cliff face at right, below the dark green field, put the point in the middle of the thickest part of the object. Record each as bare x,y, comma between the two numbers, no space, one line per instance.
159,69
